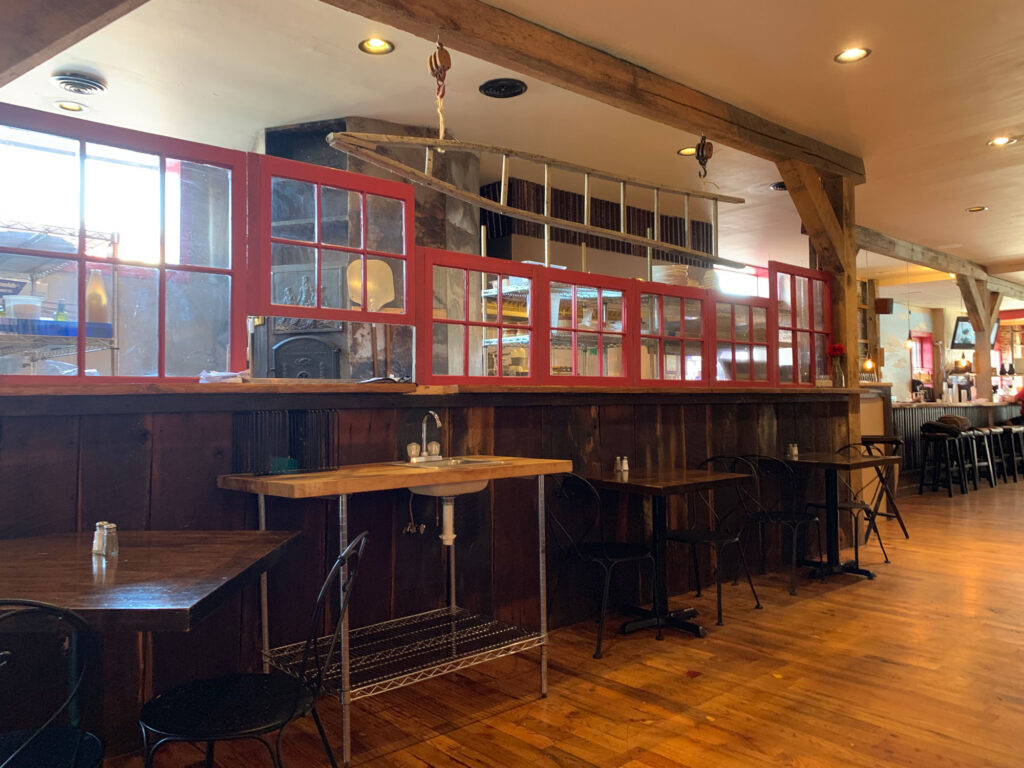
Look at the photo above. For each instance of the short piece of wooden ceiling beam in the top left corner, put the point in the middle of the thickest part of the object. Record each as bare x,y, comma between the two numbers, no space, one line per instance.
34,31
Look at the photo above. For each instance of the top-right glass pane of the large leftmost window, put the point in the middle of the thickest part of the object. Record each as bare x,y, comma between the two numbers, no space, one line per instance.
198,215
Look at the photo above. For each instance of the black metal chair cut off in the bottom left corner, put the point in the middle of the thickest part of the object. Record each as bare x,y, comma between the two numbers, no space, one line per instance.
48,655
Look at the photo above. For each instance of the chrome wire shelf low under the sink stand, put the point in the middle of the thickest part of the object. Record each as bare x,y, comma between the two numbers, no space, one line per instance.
391,655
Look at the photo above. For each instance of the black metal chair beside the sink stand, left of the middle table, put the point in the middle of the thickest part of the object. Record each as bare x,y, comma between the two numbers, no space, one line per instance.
576,524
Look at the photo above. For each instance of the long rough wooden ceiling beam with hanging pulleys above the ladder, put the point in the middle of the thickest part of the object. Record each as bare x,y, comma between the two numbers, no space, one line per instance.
507,40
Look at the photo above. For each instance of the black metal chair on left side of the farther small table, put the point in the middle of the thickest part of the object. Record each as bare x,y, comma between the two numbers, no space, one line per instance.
778,505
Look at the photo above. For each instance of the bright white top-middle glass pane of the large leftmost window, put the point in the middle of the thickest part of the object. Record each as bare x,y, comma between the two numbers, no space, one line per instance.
122,197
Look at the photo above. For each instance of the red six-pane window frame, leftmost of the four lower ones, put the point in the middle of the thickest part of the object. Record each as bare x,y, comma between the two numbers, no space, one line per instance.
504,271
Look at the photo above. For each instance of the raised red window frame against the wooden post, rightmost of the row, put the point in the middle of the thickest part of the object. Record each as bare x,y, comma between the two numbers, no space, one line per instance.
820,337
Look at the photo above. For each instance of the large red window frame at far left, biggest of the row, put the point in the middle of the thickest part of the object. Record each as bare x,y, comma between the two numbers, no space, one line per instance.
168,150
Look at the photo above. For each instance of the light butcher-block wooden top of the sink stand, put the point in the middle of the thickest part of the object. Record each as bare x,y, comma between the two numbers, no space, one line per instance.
358,479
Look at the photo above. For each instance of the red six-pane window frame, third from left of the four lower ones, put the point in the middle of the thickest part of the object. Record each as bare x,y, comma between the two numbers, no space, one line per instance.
660,336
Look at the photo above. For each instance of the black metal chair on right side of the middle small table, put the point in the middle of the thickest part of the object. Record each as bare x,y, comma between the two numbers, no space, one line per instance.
734,510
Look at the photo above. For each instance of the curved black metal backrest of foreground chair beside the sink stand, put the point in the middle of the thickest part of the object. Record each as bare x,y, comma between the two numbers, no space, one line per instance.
319,654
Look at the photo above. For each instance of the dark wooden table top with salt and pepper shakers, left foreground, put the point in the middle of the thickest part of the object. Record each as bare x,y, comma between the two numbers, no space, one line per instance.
161,580
